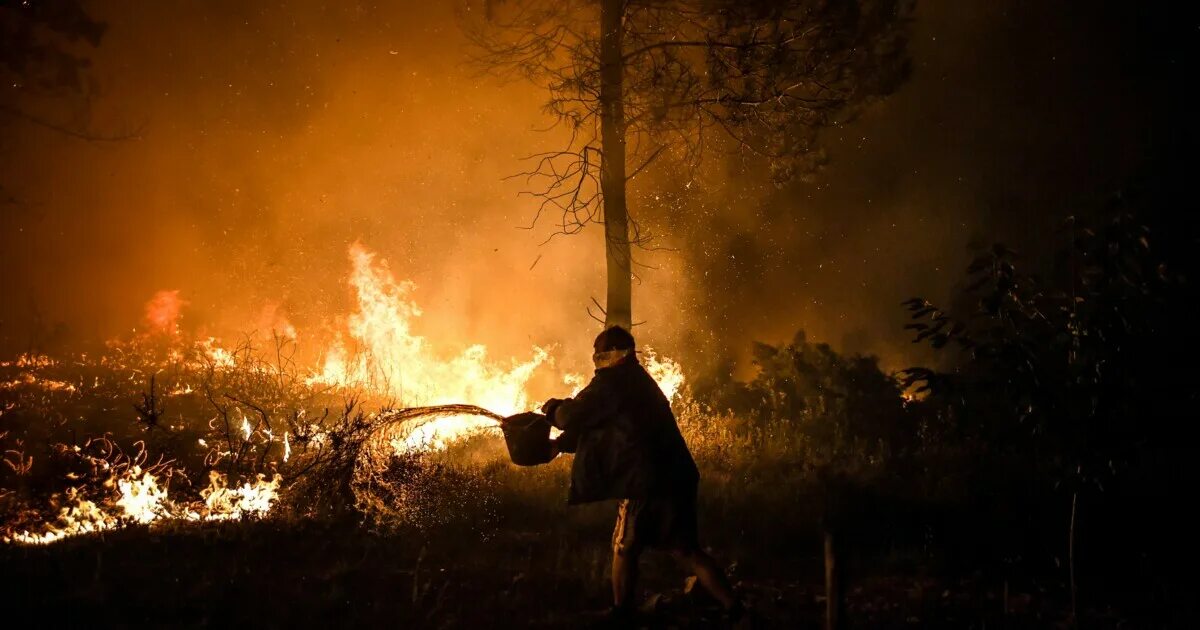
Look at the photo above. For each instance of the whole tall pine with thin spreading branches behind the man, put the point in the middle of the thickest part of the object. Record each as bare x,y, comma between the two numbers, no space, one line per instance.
635,81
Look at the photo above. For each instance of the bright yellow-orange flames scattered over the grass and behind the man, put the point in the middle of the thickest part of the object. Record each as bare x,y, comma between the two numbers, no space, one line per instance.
391,362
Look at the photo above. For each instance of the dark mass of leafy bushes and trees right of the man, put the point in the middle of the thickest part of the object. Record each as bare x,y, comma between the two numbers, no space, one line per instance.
1054,445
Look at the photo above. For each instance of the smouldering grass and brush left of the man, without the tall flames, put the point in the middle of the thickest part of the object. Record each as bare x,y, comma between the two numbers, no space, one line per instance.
225,434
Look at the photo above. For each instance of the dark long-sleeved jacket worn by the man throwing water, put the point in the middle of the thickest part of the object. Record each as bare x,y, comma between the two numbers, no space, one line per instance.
626,440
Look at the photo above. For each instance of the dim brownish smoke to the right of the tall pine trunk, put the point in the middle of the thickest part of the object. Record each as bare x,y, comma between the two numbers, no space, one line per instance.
1018,115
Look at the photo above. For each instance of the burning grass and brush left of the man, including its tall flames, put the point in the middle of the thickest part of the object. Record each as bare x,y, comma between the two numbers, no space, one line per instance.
241,430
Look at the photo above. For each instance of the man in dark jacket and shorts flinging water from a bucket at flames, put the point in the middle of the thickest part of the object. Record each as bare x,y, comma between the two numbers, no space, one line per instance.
628,447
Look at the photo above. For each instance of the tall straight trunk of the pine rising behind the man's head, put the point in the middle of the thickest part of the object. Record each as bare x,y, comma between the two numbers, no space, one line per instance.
619,308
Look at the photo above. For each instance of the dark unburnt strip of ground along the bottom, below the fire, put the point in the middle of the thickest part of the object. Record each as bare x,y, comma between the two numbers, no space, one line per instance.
272,574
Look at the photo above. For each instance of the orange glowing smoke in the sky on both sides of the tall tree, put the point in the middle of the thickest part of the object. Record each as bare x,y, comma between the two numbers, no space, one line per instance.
275,137
